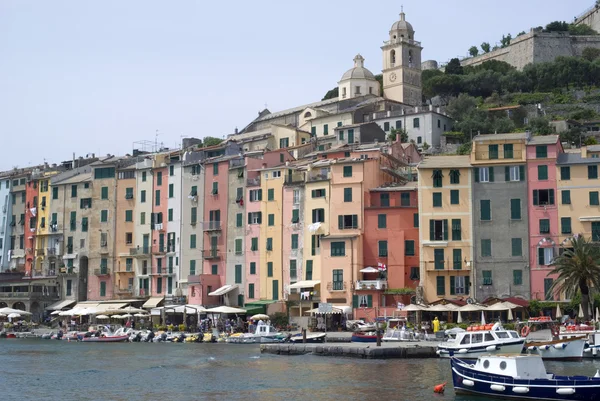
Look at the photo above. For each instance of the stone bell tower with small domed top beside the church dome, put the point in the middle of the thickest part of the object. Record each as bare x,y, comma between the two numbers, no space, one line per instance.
402,64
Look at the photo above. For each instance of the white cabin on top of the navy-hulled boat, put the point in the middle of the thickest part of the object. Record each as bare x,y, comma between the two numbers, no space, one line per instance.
517,366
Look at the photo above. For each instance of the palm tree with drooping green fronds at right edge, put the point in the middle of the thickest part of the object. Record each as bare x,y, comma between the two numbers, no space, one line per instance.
578,269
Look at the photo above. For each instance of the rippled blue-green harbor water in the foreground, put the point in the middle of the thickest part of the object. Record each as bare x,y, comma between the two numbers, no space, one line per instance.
36,369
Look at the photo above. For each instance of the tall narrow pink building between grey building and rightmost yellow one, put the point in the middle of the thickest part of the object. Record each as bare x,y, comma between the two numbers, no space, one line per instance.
544,229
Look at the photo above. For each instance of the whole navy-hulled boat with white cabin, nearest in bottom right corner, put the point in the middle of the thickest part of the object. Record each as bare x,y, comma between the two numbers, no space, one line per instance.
520,377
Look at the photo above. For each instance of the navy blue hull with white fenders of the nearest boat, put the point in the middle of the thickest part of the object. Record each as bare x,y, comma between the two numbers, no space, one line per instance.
471,381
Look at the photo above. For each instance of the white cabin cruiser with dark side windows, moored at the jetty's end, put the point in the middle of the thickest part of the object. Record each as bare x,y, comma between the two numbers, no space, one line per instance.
482,340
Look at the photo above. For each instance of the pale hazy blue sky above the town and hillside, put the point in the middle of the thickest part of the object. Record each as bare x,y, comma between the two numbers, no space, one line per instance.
96,76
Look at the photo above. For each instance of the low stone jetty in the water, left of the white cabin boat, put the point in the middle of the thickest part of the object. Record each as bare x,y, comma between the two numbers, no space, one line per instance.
402,350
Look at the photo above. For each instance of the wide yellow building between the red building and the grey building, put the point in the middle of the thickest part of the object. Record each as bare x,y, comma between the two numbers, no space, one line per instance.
445,235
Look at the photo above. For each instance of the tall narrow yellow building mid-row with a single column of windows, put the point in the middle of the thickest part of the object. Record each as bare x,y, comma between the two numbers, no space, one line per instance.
271,234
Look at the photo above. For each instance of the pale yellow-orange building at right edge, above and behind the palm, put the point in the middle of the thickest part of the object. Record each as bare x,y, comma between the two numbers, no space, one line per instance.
578,193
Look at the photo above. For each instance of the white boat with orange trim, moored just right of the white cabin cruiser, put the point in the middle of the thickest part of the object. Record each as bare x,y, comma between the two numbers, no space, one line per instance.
543,339
